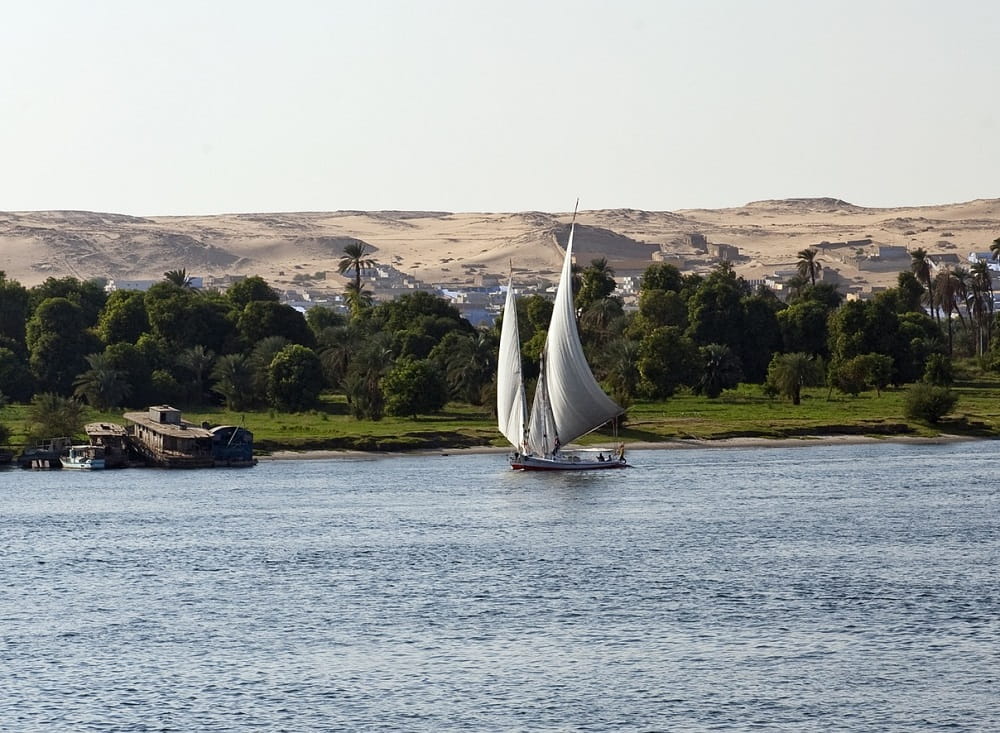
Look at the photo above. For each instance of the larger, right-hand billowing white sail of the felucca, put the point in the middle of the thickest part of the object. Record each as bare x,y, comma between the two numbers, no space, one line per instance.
577,400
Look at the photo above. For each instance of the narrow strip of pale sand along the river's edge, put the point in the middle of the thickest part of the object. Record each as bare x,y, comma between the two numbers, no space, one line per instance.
676,444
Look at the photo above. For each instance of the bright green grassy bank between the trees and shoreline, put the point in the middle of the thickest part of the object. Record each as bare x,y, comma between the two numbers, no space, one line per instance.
745,412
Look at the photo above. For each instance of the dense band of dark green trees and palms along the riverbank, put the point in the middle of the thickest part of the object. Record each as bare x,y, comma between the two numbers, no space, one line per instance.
173,343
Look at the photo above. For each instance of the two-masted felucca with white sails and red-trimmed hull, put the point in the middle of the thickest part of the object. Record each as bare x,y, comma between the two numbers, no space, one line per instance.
568,401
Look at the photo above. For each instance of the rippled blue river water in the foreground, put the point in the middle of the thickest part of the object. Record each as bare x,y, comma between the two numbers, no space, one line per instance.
849,587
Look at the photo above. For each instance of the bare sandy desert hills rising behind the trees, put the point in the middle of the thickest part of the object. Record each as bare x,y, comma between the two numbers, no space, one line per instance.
860,246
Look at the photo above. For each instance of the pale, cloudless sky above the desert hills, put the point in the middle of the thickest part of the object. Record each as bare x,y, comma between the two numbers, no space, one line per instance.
223,106
